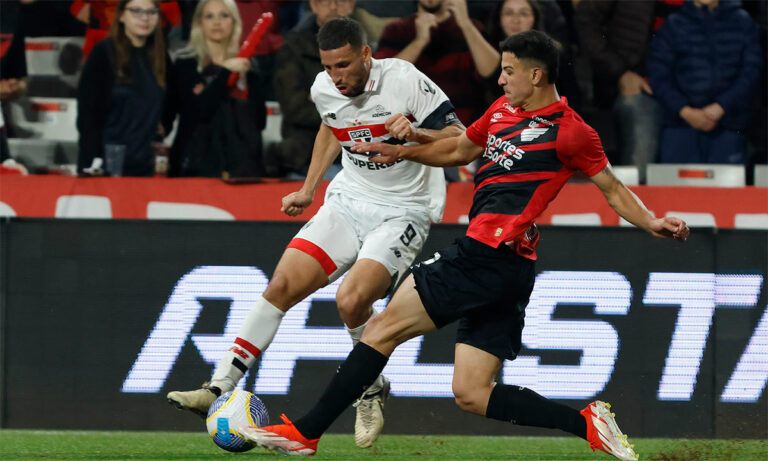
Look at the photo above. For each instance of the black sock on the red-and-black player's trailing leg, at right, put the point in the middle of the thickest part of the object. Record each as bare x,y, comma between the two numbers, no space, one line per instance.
524,407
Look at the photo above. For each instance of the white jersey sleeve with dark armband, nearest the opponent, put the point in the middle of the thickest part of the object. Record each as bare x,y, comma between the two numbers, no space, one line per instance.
428,104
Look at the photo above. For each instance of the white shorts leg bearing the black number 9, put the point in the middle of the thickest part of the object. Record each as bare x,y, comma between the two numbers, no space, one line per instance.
395,242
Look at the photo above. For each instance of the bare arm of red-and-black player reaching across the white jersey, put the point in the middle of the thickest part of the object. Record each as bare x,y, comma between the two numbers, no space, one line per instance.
453,151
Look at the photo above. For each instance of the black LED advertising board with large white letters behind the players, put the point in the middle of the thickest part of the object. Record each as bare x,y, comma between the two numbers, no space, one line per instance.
101,318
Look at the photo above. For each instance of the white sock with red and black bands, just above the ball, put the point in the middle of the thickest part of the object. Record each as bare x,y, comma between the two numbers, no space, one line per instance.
254,336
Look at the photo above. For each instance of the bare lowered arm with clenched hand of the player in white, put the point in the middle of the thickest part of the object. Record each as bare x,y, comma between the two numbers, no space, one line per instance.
324,152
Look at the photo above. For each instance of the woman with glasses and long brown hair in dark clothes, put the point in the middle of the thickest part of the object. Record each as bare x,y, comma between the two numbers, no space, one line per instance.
121,93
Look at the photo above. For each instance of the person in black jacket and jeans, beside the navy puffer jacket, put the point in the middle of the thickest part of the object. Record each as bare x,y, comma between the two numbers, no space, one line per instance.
615,36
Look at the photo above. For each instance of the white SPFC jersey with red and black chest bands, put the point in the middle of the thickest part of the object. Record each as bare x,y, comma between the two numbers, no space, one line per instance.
394,86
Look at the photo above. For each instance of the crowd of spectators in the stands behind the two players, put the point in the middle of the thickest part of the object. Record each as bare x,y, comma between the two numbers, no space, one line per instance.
662,81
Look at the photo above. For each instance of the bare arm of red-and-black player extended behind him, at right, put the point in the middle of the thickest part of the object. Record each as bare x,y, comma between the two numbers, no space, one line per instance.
629,207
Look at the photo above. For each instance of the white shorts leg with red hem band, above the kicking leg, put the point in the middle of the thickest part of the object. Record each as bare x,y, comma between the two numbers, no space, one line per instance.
329,238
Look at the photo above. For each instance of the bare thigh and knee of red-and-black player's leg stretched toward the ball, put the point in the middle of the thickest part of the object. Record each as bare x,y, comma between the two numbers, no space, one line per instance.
403,319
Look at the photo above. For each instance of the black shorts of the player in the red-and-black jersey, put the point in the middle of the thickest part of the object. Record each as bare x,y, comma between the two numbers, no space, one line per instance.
485,288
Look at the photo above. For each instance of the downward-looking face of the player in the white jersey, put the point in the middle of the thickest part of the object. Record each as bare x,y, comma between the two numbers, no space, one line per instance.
348,68
